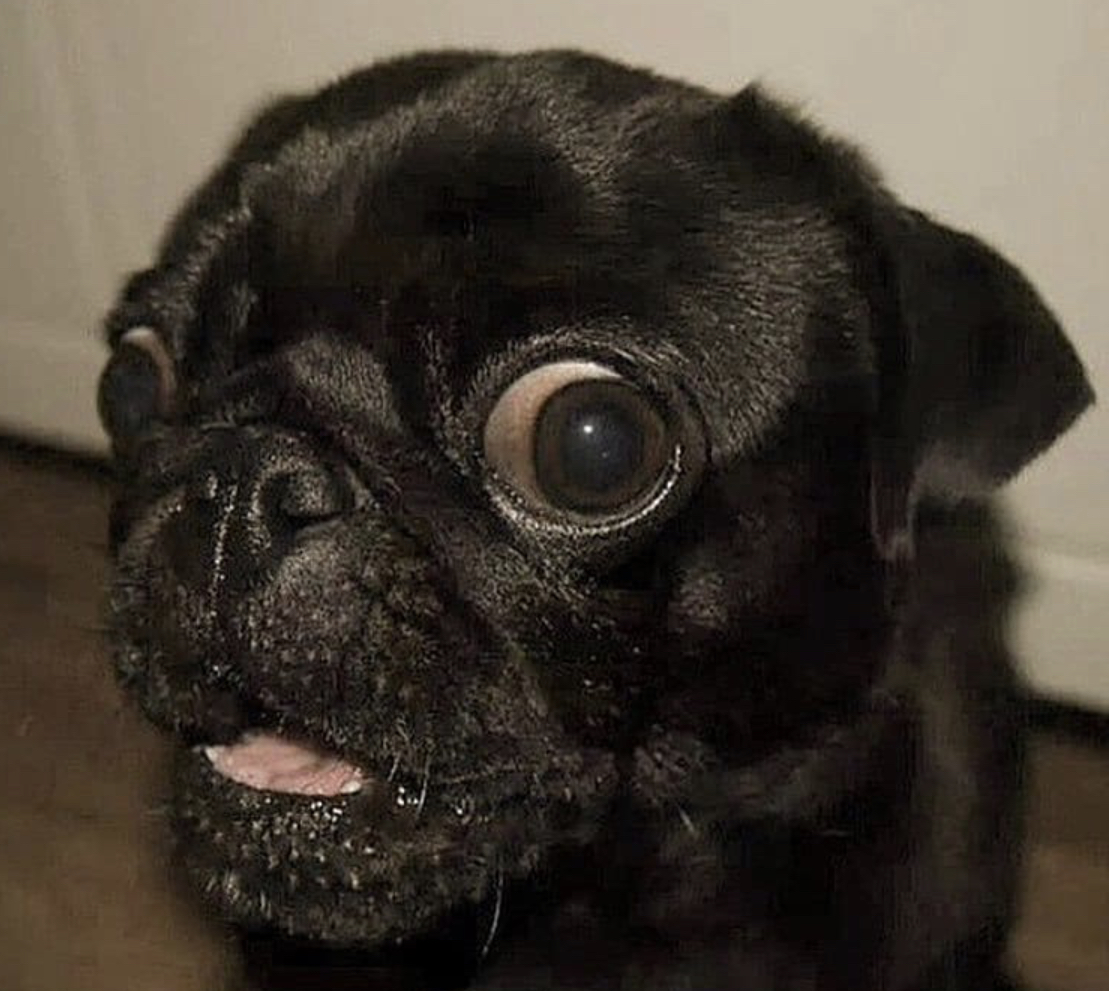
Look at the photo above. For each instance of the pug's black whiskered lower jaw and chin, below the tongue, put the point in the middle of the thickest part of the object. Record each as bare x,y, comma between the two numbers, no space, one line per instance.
372,869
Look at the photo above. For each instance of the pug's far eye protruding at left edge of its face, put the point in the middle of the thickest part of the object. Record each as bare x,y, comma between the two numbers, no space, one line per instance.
138,385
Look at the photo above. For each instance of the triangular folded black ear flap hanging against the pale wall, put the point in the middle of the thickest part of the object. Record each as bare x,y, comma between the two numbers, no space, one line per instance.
976,376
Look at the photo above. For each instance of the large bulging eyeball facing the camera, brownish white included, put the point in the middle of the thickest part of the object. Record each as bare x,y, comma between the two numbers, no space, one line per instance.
575,436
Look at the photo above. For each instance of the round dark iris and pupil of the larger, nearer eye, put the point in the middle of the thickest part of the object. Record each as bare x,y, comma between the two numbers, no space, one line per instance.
598,446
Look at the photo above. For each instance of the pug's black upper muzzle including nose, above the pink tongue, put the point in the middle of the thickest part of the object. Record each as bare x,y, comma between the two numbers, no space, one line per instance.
269,588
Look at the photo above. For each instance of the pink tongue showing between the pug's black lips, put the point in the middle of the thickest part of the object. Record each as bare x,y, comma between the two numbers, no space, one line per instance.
276,764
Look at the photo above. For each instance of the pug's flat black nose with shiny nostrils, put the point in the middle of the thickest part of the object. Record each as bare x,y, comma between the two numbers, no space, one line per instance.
248,506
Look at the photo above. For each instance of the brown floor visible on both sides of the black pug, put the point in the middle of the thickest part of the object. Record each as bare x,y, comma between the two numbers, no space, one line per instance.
86,904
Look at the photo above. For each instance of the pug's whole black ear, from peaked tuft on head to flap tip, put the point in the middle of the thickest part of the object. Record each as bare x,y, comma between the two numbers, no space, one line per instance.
975,375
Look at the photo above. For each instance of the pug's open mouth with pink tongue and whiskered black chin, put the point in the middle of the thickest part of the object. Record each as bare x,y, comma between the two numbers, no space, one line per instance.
281,827
